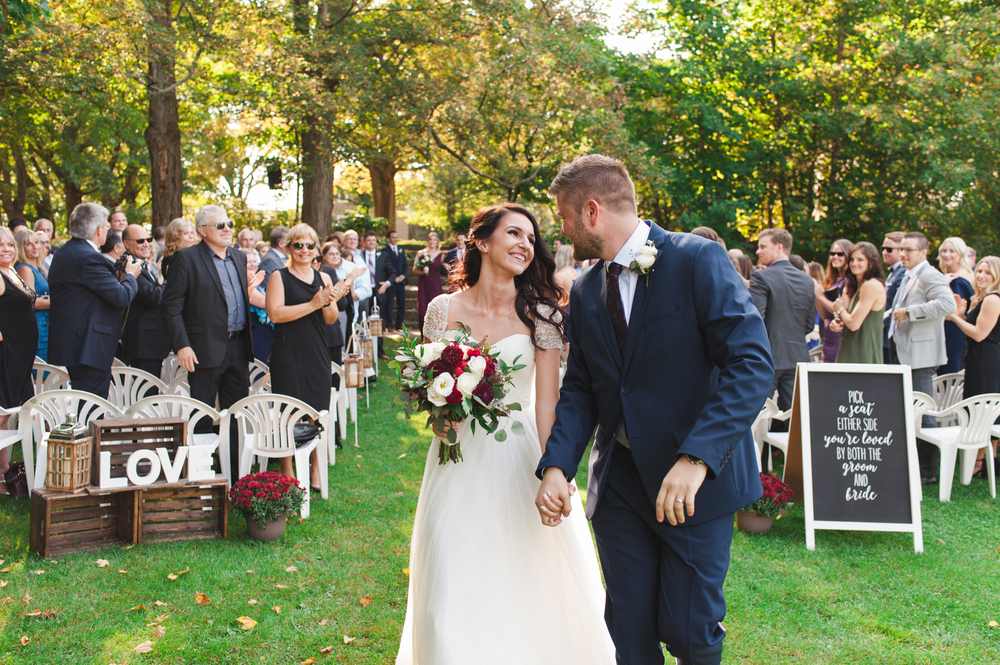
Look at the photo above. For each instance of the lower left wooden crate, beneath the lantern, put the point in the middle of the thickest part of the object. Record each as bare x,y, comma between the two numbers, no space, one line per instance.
64,523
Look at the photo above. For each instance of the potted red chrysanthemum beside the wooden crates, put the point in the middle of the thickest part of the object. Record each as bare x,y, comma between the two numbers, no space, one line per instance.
266,500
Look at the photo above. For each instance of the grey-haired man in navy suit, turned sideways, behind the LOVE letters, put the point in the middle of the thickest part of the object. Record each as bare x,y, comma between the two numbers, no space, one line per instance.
87,302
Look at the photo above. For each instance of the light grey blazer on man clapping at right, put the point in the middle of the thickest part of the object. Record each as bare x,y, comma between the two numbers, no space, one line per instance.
920,339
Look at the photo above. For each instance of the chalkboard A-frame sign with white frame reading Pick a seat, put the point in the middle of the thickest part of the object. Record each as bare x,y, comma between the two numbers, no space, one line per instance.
852,424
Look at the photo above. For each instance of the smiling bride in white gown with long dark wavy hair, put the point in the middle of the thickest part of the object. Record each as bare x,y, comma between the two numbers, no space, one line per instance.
489,584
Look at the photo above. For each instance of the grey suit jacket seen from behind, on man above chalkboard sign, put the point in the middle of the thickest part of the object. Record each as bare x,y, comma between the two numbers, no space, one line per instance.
785,298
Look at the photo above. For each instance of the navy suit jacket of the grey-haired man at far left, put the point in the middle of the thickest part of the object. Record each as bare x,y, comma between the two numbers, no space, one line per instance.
85,320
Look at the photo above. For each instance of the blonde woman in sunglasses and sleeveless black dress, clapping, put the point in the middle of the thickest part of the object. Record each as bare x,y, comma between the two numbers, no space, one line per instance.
301,303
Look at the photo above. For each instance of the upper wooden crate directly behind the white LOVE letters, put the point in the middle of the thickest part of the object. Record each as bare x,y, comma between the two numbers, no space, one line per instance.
124,436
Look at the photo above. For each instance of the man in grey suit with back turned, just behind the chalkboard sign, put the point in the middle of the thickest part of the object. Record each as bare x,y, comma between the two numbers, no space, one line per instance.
786,300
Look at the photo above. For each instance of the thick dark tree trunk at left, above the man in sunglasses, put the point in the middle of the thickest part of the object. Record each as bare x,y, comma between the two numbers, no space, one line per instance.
163,134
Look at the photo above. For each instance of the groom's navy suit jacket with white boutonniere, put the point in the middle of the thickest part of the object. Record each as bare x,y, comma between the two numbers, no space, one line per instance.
695,314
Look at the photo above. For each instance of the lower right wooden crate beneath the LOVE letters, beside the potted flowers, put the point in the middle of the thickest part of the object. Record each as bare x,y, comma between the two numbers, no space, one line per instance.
195,511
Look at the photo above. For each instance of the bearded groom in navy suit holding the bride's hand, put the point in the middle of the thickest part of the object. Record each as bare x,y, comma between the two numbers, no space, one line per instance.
673,457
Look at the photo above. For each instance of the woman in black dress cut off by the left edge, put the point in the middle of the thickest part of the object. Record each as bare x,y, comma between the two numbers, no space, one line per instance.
18,335
